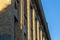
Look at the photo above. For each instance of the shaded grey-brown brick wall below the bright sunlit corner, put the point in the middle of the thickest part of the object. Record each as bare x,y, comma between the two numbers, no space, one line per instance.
6,20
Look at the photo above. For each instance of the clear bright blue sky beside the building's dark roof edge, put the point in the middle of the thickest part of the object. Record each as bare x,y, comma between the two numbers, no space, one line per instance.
52,14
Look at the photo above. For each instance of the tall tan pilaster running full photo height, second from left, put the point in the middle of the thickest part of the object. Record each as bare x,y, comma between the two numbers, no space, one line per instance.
28,19
